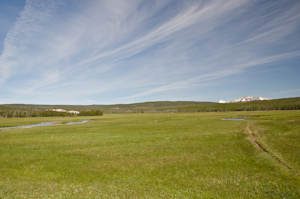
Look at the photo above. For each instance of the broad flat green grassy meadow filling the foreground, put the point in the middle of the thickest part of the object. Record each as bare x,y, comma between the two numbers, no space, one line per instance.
165,155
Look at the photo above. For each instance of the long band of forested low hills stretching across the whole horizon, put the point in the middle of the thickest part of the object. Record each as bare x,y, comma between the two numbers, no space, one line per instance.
27,110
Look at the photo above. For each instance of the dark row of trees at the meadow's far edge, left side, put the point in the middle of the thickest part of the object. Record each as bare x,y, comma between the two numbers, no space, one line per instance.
45,113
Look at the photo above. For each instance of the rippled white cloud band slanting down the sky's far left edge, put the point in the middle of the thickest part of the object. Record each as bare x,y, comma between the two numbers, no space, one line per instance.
20,37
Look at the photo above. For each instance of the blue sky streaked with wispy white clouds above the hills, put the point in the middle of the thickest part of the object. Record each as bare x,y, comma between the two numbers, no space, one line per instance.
127,51
